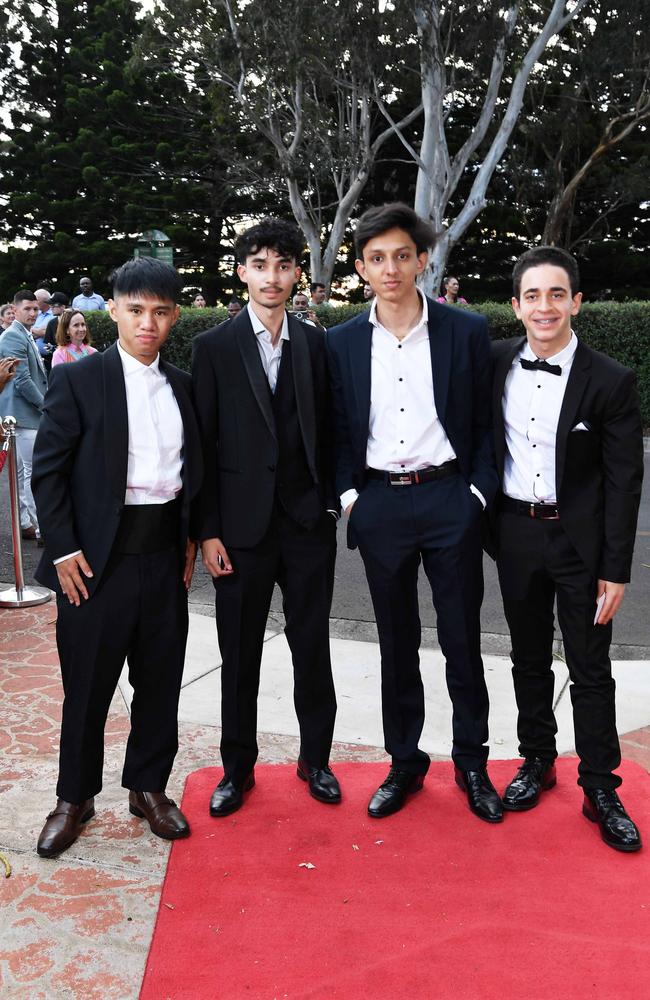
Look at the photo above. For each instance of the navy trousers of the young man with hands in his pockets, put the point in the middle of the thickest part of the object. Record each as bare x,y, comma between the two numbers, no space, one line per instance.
437,523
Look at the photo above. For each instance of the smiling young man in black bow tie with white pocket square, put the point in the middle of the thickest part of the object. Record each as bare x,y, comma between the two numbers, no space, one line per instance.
569,450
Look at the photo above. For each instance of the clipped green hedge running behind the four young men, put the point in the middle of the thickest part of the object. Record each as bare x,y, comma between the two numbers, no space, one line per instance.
620,329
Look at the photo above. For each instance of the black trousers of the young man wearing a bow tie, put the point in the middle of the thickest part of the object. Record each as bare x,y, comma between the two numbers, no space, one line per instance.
537,564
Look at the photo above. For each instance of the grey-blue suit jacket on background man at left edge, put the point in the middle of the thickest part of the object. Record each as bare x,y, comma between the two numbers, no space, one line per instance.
23,396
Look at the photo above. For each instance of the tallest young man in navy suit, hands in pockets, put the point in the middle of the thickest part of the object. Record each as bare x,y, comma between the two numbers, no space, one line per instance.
411,386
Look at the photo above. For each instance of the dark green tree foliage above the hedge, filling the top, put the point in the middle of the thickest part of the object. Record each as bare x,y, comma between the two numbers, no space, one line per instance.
122,120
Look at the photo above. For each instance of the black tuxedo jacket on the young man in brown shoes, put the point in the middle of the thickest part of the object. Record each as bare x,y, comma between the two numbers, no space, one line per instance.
81,459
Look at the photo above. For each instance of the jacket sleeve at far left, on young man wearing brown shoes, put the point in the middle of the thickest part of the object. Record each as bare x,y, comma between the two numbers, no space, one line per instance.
54,450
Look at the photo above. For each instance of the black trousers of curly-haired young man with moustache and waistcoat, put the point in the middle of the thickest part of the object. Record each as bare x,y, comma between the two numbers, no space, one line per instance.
301,561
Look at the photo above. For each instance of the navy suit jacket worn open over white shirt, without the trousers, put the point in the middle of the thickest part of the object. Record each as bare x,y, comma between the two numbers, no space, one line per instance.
460,362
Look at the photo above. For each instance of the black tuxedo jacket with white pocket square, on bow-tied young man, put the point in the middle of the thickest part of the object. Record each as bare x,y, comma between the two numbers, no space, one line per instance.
598,471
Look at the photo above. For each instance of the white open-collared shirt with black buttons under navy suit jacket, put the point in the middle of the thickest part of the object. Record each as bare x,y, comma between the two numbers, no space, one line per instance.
404,430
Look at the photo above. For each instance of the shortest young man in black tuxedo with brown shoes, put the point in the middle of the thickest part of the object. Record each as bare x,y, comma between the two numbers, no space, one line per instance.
116,463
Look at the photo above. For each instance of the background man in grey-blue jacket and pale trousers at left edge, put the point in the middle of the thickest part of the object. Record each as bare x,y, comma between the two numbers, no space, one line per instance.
22,398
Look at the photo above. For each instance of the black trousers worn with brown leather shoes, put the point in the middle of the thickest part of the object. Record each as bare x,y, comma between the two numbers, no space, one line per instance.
138,613
